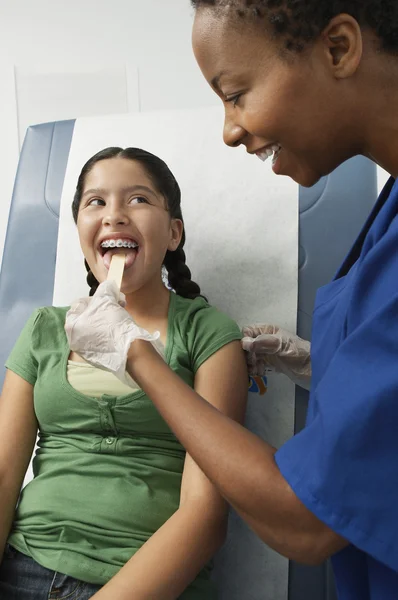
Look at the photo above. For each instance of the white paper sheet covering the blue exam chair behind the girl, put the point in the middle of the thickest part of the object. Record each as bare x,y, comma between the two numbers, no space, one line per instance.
242,245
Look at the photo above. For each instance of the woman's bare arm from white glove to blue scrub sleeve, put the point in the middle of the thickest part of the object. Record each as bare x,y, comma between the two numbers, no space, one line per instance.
240,464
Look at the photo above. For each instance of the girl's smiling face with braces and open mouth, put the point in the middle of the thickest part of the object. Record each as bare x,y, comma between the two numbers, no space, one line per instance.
120,205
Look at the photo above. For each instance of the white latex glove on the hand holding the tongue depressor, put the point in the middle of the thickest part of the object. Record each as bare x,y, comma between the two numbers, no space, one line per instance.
101,331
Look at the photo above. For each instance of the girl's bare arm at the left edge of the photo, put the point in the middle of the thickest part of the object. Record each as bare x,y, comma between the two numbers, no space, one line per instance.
18,431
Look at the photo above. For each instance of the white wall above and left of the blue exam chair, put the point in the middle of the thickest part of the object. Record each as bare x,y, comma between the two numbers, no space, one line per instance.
105,56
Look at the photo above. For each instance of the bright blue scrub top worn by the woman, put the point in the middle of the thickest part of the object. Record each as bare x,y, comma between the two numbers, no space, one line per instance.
344,465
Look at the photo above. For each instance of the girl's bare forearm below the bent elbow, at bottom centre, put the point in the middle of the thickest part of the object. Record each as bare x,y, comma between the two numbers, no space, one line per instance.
167,563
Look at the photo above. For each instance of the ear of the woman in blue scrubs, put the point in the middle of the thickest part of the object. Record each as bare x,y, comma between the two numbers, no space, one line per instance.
343,44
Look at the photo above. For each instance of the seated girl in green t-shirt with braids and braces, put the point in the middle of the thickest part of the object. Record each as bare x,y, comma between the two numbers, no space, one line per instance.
113,490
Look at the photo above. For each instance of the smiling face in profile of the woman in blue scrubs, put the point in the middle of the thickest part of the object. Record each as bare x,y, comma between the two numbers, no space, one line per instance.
292,102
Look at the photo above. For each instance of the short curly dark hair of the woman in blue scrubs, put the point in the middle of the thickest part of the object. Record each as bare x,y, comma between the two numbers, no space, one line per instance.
300,22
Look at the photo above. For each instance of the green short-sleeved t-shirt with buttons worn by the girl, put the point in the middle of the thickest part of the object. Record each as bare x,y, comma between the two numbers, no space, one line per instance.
107,471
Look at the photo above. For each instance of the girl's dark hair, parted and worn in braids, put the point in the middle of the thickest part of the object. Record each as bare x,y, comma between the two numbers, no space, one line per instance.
179,274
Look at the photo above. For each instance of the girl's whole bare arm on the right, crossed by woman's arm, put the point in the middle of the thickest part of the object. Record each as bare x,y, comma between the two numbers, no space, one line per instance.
168,562
